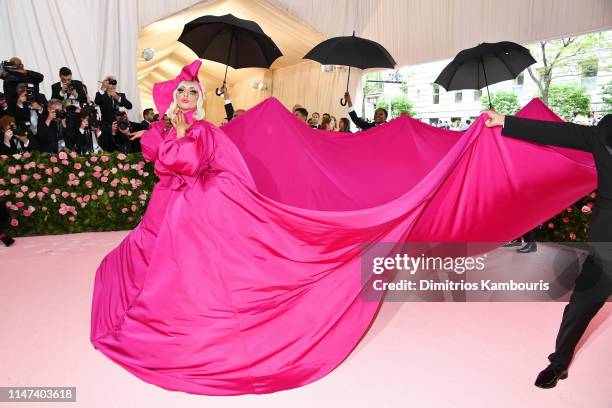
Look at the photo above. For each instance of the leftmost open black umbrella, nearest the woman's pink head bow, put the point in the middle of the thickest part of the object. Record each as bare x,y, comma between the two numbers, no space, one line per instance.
231,41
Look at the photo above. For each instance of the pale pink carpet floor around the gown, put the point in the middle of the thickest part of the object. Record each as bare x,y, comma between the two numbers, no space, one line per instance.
416,354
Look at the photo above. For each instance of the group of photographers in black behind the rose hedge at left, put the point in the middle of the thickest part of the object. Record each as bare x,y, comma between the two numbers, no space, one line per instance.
70,119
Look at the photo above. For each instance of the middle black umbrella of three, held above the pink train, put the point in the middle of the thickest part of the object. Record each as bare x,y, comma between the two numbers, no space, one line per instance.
352,51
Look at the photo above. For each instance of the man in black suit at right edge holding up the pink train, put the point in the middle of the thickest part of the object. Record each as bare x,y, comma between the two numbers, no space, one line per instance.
594,284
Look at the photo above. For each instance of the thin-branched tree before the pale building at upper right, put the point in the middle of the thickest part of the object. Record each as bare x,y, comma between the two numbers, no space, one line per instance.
556,54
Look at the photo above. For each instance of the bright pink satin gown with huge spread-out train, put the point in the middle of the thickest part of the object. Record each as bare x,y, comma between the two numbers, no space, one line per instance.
244,274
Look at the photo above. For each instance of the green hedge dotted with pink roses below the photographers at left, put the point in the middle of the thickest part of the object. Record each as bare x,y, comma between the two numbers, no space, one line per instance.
67,193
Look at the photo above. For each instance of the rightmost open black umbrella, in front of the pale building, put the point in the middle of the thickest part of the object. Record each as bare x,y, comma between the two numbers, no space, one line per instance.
487,63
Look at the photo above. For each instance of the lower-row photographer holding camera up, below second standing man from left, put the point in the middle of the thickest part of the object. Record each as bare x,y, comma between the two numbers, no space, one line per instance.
50,133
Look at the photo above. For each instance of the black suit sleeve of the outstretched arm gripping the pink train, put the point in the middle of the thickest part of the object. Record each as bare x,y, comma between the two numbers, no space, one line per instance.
569,135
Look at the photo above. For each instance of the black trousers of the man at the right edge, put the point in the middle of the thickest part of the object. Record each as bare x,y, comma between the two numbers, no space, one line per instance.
593,286
